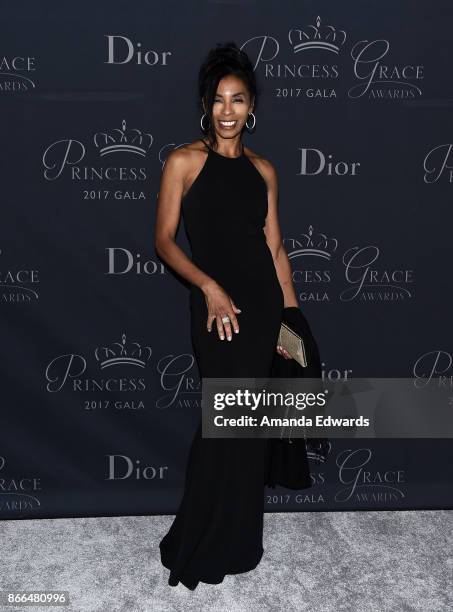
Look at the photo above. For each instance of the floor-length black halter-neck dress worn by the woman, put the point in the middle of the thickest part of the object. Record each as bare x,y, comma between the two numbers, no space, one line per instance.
218,528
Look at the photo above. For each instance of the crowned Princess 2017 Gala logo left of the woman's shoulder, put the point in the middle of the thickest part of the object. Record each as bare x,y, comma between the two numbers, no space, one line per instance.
112,157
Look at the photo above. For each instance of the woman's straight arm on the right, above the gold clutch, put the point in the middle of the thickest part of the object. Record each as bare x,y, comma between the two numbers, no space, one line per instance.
273,236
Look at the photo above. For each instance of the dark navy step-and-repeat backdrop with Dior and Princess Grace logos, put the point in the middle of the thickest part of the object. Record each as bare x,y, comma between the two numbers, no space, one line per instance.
100,391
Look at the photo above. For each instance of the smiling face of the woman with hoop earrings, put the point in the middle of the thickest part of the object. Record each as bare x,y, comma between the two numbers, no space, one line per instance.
231,108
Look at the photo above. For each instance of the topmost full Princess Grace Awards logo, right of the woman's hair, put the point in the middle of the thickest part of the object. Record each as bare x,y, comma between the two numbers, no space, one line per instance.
305,65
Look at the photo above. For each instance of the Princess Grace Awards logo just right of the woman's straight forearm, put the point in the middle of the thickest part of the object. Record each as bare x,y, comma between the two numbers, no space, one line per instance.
316,263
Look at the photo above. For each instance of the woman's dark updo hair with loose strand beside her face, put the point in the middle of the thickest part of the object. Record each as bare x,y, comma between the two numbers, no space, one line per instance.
224,59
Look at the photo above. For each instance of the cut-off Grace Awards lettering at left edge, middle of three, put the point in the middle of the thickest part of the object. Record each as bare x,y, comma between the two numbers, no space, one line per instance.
18,285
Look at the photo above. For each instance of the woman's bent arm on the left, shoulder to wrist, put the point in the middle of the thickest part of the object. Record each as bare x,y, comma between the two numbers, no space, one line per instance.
167,219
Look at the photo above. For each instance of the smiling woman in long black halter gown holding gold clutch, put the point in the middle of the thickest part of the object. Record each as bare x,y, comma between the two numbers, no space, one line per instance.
240,282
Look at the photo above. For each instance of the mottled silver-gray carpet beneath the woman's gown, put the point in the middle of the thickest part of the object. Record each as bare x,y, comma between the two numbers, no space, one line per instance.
313,561
